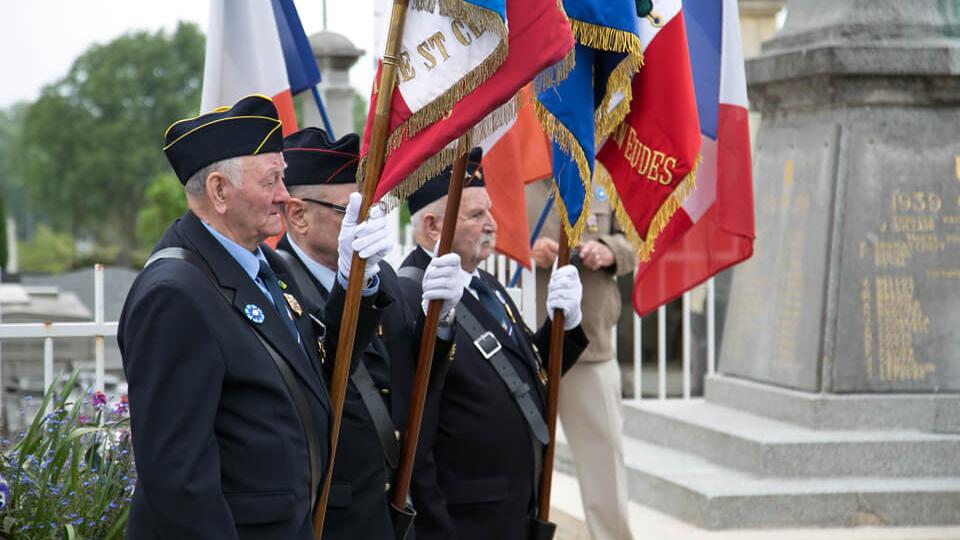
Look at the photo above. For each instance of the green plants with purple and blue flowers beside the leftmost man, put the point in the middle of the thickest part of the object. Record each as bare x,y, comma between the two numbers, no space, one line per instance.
70,475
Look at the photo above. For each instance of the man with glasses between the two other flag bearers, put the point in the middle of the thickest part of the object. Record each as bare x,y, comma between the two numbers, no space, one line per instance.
321,176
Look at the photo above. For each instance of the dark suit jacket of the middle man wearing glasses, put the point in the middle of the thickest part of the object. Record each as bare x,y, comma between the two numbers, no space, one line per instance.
358,506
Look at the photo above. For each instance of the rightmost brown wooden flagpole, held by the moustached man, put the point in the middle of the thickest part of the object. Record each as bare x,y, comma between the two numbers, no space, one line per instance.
553,391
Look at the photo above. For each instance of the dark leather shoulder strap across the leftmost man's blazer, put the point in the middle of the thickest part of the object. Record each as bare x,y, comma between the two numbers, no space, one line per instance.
289,379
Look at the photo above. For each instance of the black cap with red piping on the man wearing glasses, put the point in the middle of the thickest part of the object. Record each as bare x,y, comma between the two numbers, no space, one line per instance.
312,158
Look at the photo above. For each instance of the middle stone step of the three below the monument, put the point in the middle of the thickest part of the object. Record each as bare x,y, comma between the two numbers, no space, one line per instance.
770,448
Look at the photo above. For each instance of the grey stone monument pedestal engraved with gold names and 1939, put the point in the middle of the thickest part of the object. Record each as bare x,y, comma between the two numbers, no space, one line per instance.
855,283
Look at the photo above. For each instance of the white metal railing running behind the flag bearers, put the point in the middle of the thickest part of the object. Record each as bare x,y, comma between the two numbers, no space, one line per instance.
503,268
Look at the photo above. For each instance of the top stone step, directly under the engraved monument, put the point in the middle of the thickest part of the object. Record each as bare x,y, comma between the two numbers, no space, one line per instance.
923,412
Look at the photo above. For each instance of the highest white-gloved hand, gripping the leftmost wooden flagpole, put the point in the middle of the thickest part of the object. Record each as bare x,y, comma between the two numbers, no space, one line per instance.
370,239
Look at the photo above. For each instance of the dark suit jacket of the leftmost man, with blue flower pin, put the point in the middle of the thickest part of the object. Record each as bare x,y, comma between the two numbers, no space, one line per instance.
221,451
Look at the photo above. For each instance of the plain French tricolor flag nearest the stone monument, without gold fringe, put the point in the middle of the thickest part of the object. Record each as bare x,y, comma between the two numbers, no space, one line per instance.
714,229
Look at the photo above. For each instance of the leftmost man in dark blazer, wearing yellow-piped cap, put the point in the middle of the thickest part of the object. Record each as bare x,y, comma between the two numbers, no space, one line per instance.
230,414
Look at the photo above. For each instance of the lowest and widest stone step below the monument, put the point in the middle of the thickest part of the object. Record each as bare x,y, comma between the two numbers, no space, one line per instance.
711,496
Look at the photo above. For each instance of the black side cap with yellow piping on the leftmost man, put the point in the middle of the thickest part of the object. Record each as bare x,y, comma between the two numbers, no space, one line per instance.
249,128
